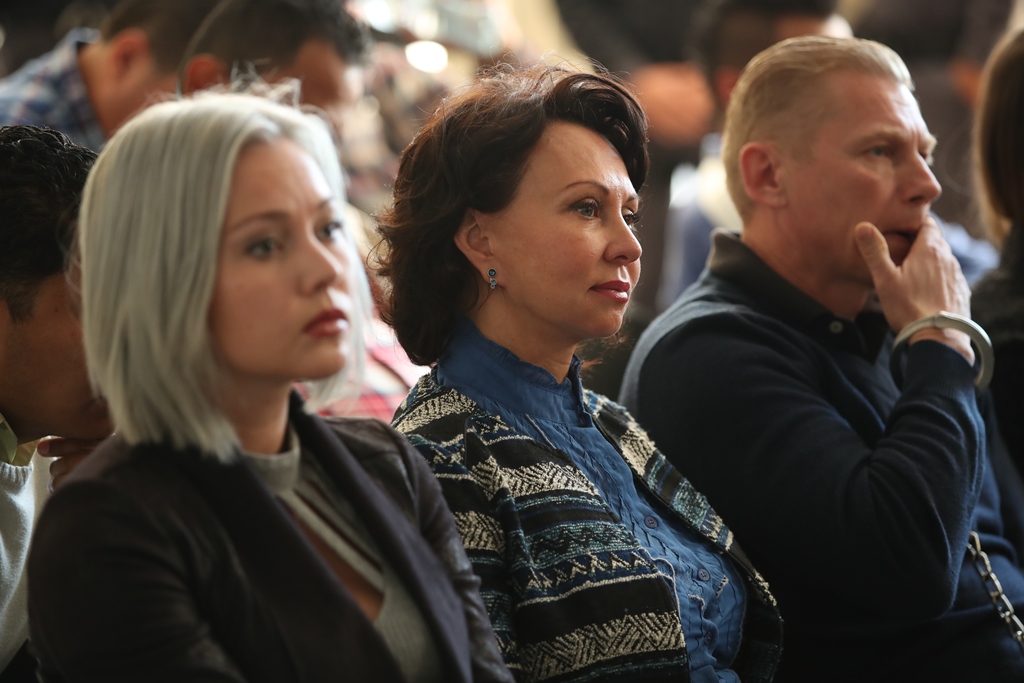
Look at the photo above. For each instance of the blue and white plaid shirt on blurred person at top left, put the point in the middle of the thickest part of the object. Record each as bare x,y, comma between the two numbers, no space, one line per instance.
50,92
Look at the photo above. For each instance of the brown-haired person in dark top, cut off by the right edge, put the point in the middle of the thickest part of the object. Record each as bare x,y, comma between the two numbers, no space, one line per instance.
998,301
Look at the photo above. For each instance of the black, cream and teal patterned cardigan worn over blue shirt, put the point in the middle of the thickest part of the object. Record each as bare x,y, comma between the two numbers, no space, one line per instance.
560,576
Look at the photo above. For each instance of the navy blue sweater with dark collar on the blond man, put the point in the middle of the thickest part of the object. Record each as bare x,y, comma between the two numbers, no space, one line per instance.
856,497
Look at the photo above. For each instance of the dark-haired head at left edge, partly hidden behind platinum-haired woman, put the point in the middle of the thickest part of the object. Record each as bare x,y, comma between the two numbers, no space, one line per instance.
46,390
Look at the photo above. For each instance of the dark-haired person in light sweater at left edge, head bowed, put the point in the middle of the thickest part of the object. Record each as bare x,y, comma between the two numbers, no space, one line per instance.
45,390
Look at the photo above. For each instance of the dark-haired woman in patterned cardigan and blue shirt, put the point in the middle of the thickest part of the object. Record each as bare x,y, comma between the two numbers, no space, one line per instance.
510,242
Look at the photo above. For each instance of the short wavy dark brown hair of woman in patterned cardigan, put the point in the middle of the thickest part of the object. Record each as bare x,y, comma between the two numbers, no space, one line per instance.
473,154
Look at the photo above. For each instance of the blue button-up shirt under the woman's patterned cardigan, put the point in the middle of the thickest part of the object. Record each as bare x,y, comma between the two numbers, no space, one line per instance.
711,591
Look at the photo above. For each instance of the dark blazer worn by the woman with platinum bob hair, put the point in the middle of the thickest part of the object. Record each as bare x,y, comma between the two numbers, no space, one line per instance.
160,565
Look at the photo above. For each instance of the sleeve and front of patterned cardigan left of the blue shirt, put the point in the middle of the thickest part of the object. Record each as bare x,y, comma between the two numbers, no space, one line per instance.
533,578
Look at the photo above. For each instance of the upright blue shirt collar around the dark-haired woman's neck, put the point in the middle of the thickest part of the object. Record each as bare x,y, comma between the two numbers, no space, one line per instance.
480,368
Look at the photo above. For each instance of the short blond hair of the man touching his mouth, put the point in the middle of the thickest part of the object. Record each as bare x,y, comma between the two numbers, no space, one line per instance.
780,97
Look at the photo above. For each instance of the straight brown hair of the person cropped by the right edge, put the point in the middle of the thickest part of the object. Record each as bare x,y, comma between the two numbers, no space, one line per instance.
999,143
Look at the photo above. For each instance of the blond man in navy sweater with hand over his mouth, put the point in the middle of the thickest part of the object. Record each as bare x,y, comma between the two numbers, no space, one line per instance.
872,499
